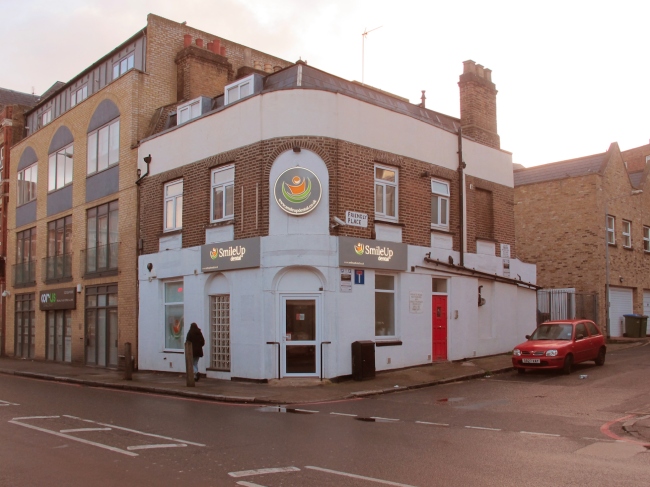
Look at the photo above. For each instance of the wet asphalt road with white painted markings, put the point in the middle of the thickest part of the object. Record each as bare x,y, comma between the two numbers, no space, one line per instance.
539,429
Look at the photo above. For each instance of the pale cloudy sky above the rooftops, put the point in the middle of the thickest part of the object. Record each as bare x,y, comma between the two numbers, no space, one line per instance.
572,76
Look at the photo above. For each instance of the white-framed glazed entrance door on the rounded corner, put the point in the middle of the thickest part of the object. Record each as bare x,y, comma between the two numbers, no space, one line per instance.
299,344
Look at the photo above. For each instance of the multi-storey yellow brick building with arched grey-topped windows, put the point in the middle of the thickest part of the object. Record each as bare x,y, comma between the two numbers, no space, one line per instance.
72,217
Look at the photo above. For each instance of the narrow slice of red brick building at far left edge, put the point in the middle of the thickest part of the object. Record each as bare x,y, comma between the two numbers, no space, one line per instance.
12,108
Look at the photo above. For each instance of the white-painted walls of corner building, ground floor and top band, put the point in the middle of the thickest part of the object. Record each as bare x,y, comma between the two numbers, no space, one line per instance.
299,259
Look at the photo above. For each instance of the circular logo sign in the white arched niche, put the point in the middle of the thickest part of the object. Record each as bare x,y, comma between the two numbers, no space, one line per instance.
297,191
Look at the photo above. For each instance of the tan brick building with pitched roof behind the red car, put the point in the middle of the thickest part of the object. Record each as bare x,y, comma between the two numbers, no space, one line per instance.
584,223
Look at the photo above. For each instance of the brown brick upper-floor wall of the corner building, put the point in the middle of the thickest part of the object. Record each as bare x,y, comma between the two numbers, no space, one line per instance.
351,179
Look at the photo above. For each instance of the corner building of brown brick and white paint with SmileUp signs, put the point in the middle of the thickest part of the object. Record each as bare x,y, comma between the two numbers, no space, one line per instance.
300,212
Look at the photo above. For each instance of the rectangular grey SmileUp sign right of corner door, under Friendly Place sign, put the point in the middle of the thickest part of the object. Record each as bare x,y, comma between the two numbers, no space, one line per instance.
373,254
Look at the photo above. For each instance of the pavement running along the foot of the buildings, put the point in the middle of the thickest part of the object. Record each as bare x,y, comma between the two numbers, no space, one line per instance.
287,391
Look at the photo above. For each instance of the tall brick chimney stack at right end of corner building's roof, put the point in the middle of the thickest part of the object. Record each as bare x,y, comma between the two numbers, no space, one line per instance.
478,104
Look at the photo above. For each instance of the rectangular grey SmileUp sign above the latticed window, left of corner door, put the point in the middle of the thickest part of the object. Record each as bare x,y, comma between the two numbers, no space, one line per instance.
226,256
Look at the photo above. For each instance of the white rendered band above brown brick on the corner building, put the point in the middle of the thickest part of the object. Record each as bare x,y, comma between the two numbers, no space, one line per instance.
303,112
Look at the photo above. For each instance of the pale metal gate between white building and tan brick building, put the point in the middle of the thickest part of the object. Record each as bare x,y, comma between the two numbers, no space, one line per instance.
566,304
